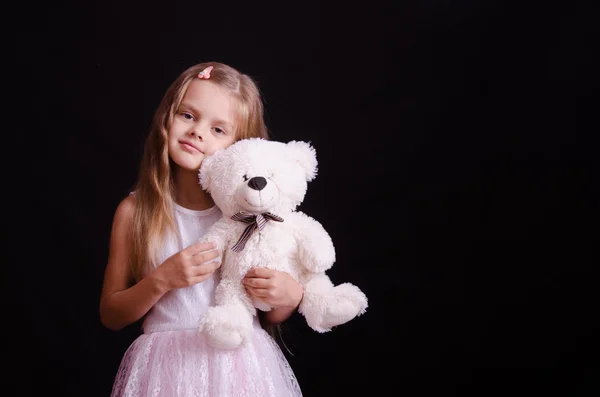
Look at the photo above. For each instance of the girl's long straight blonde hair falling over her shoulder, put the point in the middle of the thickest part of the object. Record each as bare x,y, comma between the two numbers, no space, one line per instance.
154,190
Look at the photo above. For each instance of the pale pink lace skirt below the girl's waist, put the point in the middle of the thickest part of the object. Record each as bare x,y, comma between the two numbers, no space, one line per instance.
181,364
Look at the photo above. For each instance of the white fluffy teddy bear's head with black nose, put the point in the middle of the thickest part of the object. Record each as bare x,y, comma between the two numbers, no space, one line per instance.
257,175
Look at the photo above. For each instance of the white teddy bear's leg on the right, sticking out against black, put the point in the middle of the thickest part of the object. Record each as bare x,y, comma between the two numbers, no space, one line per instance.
325,306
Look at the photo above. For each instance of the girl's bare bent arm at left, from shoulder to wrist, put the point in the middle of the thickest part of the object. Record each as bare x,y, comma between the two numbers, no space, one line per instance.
120,303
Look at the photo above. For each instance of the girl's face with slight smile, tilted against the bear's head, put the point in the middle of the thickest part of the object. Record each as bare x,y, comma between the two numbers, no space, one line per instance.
203,124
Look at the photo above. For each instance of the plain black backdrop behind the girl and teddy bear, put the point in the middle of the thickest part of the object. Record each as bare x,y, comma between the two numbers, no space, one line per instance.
457,180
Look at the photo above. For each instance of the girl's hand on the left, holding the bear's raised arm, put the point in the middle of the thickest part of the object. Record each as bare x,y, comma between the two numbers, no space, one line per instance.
189,266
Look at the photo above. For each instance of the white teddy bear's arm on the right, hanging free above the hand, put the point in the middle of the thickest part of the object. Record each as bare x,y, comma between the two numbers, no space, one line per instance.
315,248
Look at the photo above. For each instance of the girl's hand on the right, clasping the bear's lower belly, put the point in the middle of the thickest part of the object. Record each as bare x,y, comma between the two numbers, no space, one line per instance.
275,288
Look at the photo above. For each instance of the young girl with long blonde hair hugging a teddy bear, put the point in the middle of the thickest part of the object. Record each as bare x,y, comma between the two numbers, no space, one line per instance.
157,269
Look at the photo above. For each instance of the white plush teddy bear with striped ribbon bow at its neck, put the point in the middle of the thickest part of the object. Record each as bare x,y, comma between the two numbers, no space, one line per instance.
258,184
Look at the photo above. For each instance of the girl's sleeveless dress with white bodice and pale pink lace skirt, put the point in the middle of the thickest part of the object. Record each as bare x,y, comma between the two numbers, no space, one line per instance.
171,358
